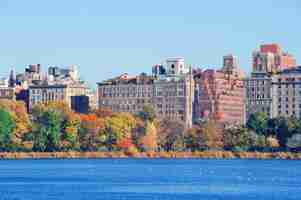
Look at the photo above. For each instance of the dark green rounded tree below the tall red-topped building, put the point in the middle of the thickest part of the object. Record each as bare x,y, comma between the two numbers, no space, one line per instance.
258,122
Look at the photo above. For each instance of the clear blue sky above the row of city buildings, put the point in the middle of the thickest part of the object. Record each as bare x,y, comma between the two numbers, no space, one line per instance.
106,38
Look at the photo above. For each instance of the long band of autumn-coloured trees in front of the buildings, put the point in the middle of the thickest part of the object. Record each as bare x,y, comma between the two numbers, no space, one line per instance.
55,127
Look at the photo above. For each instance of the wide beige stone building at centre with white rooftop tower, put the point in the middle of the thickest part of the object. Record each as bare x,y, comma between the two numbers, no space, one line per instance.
170,91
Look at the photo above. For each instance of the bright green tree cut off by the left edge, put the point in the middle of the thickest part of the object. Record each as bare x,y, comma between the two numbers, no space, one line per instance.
7,126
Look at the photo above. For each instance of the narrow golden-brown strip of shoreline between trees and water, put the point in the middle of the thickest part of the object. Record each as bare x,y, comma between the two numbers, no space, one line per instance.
167,155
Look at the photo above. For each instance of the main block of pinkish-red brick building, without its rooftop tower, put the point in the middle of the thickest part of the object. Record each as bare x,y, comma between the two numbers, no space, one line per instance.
220,96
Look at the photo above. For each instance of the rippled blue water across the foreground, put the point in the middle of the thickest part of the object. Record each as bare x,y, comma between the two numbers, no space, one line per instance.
149,179
